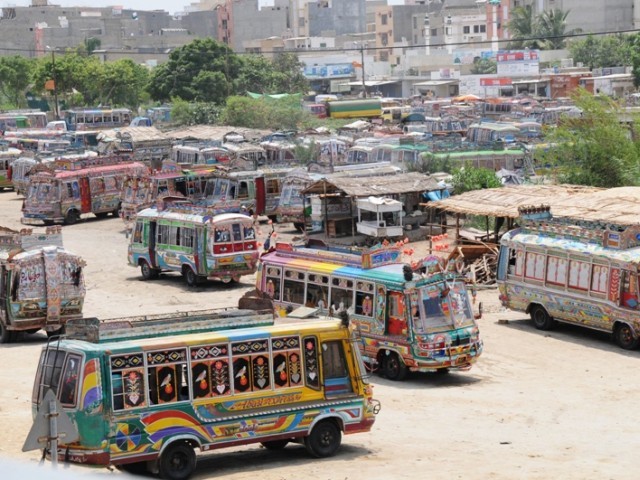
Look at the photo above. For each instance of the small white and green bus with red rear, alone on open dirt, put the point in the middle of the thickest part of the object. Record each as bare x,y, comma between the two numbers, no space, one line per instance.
190,240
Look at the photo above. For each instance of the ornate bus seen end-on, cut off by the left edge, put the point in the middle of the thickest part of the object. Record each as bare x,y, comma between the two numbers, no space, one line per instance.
41,283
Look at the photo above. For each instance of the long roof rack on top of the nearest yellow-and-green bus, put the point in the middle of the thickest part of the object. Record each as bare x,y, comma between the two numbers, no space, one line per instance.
95,330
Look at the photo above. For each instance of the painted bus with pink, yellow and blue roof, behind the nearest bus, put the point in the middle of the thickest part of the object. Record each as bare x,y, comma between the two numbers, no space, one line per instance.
408,321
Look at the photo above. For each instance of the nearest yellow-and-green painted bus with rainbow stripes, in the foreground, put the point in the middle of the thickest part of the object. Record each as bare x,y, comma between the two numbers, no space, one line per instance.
147,404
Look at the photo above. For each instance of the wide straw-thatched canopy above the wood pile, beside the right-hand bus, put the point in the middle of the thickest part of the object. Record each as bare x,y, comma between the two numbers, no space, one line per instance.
504,201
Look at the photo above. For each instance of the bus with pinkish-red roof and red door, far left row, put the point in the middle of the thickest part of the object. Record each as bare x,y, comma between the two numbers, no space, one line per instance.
62,196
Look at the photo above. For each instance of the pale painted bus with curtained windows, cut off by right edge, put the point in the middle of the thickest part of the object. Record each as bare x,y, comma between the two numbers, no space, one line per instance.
583,274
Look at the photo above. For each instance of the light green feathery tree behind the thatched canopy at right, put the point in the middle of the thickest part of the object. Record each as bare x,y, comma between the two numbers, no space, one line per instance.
595,149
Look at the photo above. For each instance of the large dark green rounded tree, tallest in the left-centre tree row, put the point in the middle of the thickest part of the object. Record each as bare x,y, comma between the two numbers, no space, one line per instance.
199,71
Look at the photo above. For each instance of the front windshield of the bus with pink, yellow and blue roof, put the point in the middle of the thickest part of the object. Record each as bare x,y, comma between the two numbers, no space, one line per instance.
443,305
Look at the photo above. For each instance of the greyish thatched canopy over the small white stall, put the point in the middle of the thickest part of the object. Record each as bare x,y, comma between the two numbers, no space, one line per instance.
378,186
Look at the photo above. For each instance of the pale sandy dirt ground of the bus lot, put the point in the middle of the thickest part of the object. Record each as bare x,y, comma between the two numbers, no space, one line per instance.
537,405
